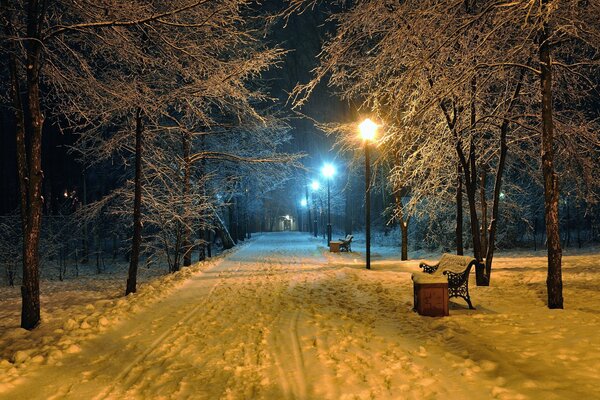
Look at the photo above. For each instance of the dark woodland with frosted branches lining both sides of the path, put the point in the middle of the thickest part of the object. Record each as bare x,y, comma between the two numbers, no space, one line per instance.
170,133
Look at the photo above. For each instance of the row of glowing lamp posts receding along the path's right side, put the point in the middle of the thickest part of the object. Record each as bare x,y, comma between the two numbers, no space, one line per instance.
367,130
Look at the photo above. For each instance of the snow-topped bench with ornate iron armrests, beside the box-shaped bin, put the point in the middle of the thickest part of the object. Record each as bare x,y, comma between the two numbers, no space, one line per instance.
456,269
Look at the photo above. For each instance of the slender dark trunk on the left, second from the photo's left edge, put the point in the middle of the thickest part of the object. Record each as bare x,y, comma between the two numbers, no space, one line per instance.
136,240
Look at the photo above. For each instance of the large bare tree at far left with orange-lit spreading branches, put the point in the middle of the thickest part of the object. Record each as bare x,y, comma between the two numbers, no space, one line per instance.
97,54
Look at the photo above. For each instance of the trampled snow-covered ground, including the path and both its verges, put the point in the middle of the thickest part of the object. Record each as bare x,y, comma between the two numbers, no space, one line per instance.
281,318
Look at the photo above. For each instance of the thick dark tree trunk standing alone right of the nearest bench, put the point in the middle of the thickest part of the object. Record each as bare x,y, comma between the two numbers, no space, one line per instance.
551,191
